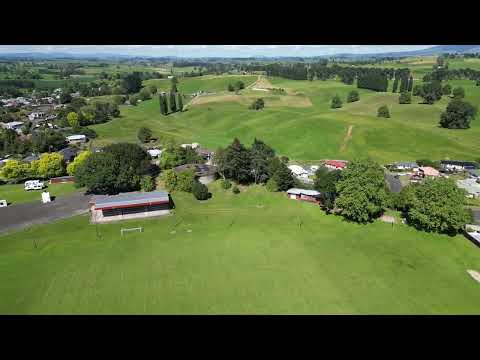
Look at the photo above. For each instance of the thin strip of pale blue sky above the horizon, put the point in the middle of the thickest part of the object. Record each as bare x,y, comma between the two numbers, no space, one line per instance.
211,50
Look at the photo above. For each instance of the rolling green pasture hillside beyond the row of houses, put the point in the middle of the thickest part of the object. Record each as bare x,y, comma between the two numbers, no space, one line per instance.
307,133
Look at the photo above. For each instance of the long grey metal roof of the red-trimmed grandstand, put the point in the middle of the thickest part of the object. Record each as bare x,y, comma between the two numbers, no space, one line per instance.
129,199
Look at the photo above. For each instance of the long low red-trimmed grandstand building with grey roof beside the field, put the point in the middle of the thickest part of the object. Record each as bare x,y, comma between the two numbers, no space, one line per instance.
106,208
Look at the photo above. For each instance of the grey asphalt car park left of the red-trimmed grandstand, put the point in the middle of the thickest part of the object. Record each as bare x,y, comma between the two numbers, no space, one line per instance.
23,215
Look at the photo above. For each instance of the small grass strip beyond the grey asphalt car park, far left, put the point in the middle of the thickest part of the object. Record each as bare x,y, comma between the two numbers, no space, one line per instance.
16,194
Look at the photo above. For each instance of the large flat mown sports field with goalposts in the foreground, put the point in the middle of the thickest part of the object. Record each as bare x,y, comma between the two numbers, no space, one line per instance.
255,252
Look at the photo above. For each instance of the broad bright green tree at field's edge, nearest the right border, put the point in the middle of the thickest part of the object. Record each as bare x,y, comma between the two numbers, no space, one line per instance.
437,205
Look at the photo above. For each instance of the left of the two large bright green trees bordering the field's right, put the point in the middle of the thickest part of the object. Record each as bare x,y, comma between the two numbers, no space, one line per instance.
362,191
